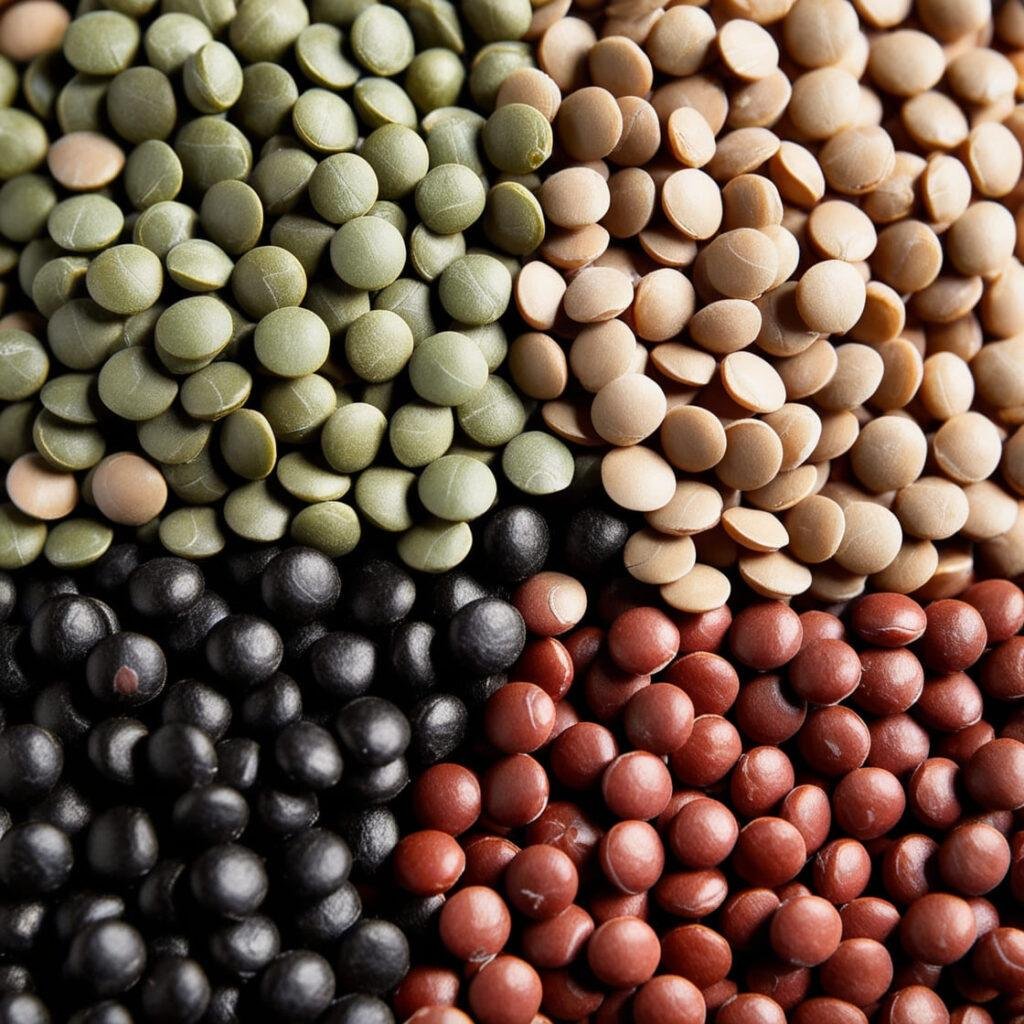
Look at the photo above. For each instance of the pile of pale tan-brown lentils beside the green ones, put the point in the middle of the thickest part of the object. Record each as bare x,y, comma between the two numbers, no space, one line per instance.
783,285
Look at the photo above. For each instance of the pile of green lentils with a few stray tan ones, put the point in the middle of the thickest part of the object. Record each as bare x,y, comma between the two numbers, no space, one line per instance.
254,264
